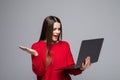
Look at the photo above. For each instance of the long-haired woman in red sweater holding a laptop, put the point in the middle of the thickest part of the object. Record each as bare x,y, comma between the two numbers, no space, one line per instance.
50,53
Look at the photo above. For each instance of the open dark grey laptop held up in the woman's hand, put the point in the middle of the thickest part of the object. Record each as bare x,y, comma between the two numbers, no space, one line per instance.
90,47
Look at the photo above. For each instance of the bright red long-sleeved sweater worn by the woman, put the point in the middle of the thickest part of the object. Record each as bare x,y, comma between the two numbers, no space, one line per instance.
61,57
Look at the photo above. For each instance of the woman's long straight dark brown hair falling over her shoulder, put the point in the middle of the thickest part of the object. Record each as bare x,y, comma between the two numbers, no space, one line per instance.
47,31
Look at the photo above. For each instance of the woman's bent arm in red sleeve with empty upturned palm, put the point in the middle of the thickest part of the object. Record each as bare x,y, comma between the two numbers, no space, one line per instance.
37,61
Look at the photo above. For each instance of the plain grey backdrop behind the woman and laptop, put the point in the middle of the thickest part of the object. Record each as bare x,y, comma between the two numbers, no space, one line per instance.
20,24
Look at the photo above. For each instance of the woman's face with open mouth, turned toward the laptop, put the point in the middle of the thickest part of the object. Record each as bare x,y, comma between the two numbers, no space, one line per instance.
56,32
